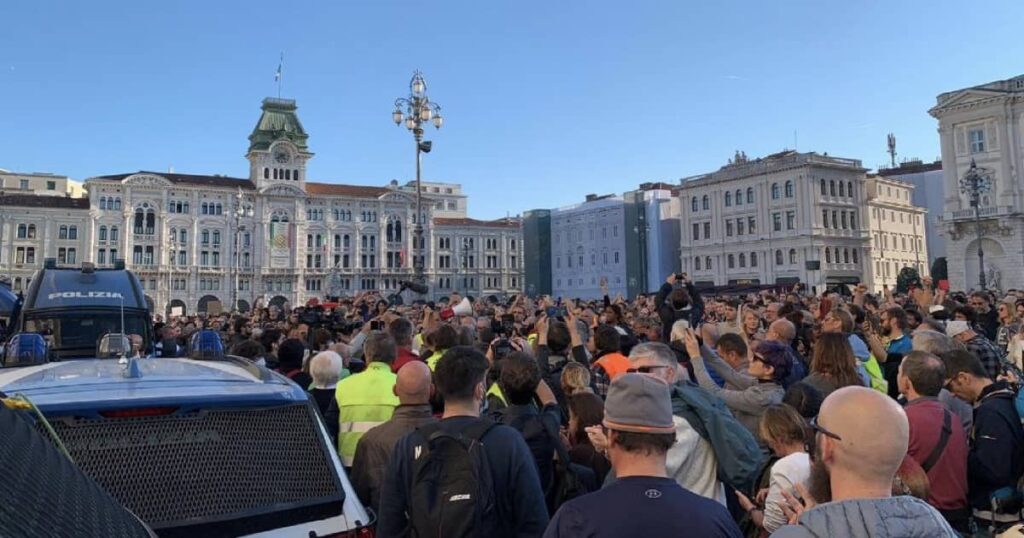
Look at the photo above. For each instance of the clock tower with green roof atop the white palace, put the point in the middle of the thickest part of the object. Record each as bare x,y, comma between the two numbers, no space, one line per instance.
278,151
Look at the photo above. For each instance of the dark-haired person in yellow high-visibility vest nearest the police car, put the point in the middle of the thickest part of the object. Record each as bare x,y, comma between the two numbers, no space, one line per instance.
367,399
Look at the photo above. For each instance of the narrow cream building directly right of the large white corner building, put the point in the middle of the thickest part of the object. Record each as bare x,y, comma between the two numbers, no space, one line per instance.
898,231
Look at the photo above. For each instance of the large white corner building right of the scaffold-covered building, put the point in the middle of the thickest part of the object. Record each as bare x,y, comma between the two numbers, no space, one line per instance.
786,219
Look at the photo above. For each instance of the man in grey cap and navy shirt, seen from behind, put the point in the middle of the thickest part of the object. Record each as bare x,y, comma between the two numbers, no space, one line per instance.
644,502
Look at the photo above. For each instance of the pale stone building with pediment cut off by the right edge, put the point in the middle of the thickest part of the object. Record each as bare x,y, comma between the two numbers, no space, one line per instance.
985,125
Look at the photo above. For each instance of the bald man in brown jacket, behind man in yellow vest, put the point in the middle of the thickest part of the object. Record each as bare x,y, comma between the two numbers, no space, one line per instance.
414,389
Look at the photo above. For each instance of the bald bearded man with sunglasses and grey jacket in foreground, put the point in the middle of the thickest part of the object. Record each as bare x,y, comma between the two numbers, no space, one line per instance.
852,472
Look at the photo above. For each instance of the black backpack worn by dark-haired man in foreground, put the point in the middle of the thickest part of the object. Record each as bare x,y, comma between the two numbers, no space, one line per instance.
453,494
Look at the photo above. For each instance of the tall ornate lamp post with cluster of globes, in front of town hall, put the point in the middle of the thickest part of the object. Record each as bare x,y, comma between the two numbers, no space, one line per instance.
416,110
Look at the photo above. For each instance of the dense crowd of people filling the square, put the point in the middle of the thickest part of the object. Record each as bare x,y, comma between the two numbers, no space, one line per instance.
788,415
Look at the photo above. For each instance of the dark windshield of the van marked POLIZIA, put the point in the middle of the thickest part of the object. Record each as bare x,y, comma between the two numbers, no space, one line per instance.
75,336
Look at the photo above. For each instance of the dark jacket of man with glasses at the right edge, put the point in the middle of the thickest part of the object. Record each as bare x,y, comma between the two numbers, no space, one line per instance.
997,457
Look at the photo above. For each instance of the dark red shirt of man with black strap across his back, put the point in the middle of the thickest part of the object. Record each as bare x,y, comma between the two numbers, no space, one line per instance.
948,479
